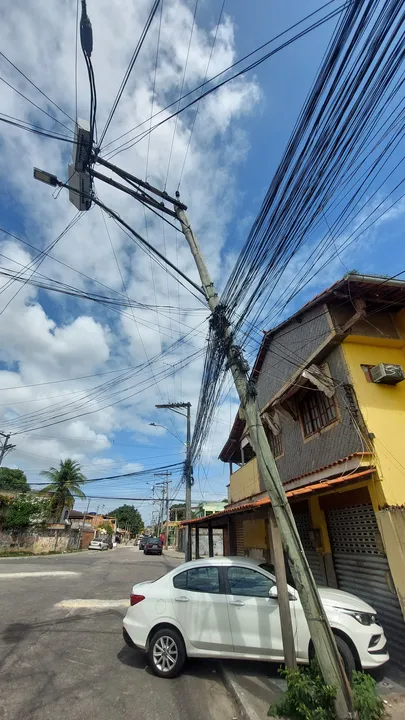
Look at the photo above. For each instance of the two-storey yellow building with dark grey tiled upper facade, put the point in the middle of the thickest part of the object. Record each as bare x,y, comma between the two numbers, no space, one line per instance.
331,392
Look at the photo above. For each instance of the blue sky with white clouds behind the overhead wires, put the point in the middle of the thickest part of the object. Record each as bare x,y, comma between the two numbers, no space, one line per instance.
56,349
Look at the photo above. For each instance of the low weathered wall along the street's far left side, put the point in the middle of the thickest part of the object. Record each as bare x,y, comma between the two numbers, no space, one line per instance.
40,541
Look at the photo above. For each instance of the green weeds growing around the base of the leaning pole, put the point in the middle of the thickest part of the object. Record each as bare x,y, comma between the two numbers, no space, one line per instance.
309,698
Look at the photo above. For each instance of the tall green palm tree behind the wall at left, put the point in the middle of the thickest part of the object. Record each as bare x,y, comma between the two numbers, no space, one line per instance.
65,484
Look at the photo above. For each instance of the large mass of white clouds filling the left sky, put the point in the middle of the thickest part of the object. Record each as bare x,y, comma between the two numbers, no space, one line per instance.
47,338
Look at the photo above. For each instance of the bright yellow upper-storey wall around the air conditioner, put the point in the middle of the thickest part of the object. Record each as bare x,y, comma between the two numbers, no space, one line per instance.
383,409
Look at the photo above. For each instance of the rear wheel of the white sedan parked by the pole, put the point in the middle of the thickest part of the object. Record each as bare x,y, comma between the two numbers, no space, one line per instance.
167,653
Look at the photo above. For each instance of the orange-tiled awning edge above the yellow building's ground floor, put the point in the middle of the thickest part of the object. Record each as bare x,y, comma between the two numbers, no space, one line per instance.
322,486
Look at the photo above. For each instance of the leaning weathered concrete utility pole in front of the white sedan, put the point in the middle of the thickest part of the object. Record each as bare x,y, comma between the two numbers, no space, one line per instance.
322,637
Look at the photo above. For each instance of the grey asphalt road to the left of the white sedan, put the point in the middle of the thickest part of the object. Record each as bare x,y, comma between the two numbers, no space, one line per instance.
61,654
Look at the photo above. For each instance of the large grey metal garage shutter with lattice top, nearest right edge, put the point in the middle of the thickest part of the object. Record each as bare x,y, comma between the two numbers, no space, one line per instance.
362,568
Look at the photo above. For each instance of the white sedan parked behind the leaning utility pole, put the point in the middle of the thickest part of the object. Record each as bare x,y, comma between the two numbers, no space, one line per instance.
227,608
